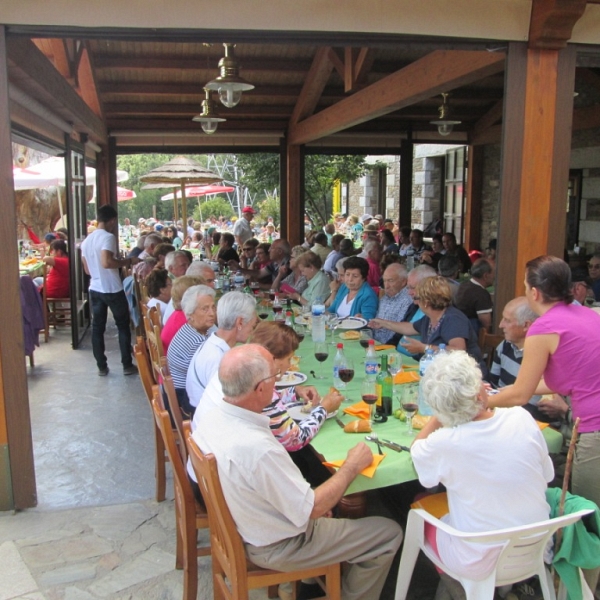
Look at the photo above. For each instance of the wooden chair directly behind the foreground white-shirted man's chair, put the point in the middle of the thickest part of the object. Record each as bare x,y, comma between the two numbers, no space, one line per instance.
190,515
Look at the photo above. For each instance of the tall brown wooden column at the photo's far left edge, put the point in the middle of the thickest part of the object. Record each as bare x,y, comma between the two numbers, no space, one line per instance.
17,474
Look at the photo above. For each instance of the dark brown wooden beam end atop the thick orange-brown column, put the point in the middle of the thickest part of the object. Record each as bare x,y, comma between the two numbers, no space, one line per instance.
552,22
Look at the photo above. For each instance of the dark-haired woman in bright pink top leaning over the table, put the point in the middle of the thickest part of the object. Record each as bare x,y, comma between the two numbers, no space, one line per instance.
562,347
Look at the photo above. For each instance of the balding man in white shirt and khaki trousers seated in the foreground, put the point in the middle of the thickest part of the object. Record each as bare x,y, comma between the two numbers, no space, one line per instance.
275,510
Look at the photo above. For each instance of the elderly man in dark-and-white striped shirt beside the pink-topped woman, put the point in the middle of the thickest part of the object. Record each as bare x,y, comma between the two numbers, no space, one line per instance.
517,317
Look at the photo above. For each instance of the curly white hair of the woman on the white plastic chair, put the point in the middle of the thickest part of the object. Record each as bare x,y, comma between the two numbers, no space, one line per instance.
451,386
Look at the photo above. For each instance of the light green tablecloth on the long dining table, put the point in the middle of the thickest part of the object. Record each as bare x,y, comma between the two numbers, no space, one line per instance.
333,443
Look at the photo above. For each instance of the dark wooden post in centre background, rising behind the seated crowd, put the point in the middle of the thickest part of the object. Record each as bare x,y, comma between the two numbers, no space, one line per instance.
292,205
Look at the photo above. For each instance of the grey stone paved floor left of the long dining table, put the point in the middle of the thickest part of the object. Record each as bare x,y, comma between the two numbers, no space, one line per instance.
96,532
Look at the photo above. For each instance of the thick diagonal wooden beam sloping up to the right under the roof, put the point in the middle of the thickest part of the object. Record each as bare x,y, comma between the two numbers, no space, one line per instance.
440,71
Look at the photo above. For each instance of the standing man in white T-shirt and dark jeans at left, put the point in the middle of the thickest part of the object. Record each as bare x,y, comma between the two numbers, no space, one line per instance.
98,252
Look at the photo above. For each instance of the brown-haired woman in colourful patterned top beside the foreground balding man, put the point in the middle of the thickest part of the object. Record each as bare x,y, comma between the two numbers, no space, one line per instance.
282,341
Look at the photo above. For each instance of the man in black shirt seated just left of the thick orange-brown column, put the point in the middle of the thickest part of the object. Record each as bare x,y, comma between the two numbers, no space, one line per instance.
473,299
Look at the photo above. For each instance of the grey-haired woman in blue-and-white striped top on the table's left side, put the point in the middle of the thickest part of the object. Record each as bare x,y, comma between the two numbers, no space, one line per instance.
198,305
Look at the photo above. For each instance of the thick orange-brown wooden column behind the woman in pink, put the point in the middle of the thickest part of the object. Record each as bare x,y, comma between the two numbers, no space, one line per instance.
538,109
